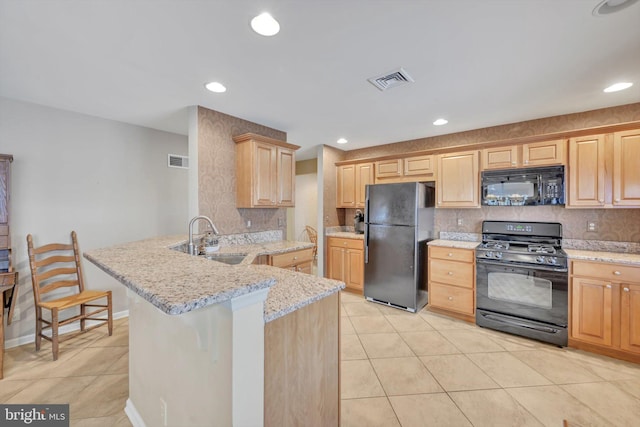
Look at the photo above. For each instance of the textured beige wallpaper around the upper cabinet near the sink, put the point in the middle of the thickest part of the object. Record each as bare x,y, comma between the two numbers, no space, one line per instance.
217,174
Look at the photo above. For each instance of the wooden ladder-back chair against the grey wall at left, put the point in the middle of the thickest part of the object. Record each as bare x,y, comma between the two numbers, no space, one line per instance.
55,266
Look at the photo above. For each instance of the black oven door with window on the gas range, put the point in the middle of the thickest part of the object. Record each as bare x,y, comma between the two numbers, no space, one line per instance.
532,293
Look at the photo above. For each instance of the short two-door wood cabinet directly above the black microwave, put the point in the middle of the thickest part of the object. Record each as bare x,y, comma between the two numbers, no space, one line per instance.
546,153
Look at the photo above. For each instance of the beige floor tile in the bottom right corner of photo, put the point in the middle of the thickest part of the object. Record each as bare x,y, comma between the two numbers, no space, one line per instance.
618,407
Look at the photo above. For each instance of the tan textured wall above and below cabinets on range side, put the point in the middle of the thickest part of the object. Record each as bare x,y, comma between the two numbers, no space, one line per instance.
612,224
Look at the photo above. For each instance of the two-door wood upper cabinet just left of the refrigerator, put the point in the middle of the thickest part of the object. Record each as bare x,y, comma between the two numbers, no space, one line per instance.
351,183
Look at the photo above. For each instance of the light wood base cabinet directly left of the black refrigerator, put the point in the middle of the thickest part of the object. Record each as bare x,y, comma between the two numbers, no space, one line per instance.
345,262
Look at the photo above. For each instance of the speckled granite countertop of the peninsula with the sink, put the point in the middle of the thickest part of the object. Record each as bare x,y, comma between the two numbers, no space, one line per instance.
176,282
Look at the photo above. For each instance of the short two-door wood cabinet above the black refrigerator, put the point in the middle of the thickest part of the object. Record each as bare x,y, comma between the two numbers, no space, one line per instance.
414,168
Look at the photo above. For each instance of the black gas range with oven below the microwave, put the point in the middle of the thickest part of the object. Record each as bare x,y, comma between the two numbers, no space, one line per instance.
522,280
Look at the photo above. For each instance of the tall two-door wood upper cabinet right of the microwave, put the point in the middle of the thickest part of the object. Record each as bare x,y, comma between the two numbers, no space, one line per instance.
603,170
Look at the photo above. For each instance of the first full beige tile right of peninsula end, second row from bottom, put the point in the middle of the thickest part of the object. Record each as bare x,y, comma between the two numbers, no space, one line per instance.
406,375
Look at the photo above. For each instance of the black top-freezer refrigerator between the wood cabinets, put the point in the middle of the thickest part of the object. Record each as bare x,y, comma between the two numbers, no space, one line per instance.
399,221
